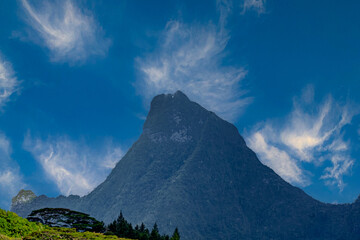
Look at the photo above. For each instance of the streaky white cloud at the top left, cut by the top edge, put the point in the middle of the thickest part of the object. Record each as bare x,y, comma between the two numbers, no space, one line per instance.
68,31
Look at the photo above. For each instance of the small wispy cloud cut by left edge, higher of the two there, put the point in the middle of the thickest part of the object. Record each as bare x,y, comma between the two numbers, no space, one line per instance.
9,84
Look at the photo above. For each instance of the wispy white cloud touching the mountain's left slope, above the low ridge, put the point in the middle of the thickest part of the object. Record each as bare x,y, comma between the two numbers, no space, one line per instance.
73,166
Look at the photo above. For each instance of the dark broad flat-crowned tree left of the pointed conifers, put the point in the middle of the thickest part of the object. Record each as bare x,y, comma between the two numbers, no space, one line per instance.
60,217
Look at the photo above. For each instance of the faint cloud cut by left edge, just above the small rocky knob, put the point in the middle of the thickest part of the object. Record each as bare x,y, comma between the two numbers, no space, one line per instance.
10,178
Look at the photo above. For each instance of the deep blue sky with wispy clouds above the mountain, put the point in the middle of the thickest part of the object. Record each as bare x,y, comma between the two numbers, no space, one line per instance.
76,79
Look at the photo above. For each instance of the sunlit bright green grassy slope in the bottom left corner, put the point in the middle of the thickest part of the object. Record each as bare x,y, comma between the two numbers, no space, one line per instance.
14,227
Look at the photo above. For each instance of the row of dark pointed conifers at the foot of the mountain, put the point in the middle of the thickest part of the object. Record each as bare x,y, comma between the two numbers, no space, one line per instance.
122,228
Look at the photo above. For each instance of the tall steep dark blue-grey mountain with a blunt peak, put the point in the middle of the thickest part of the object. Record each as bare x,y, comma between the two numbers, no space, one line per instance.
192,170
